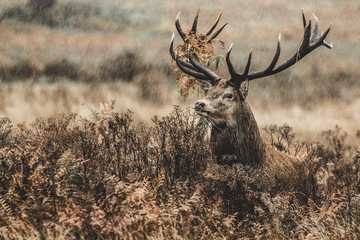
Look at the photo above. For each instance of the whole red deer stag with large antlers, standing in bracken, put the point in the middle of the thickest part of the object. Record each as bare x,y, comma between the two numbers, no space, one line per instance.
235,133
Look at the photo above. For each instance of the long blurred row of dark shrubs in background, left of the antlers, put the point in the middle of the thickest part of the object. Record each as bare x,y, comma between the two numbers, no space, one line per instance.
128,67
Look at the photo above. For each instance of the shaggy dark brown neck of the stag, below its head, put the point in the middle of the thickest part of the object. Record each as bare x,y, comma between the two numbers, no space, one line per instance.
241,137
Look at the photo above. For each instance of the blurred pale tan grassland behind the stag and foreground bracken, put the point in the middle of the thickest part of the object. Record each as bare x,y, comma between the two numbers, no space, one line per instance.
70,56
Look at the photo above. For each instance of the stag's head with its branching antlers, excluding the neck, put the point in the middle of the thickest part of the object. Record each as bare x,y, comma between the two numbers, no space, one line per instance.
226,98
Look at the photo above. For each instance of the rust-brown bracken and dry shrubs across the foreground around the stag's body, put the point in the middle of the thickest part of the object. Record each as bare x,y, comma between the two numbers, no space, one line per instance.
70,177
